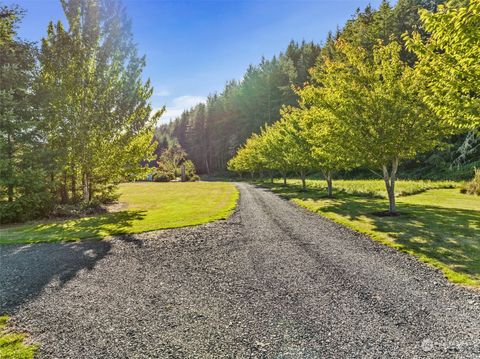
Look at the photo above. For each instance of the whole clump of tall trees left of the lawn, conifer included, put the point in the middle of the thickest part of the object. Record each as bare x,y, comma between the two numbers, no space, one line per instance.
74,113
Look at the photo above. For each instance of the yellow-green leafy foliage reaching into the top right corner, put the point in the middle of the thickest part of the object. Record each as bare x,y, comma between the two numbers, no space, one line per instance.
448,62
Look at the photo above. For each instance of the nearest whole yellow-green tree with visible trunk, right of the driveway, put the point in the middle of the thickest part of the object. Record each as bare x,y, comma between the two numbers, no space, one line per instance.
377,103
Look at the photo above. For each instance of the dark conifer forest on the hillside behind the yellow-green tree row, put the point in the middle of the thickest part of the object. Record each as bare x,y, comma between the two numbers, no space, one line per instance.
212,132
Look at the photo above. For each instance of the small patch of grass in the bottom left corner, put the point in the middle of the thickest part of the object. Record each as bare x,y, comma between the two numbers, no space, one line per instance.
12,344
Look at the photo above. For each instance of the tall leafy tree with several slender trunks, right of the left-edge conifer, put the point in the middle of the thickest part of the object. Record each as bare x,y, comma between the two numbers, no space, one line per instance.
94,104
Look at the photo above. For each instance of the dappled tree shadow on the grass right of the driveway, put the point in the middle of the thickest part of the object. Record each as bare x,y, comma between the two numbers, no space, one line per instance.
446,236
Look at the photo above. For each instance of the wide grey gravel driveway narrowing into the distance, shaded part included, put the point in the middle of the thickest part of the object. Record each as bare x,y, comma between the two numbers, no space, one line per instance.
273,281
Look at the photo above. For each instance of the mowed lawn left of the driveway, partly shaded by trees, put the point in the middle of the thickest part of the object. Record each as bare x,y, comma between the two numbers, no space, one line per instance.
149,206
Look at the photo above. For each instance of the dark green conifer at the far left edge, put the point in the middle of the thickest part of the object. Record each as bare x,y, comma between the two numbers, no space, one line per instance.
22,182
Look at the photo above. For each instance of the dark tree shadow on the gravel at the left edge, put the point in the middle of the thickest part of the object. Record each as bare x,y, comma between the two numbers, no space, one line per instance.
26,270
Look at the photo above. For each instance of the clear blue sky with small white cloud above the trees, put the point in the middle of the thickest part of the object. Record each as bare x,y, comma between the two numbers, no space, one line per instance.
193,47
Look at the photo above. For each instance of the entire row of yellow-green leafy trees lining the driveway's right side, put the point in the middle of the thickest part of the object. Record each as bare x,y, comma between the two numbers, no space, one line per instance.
377,103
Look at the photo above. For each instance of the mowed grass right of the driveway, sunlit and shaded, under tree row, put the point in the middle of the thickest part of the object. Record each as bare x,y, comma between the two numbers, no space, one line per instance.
439,226
